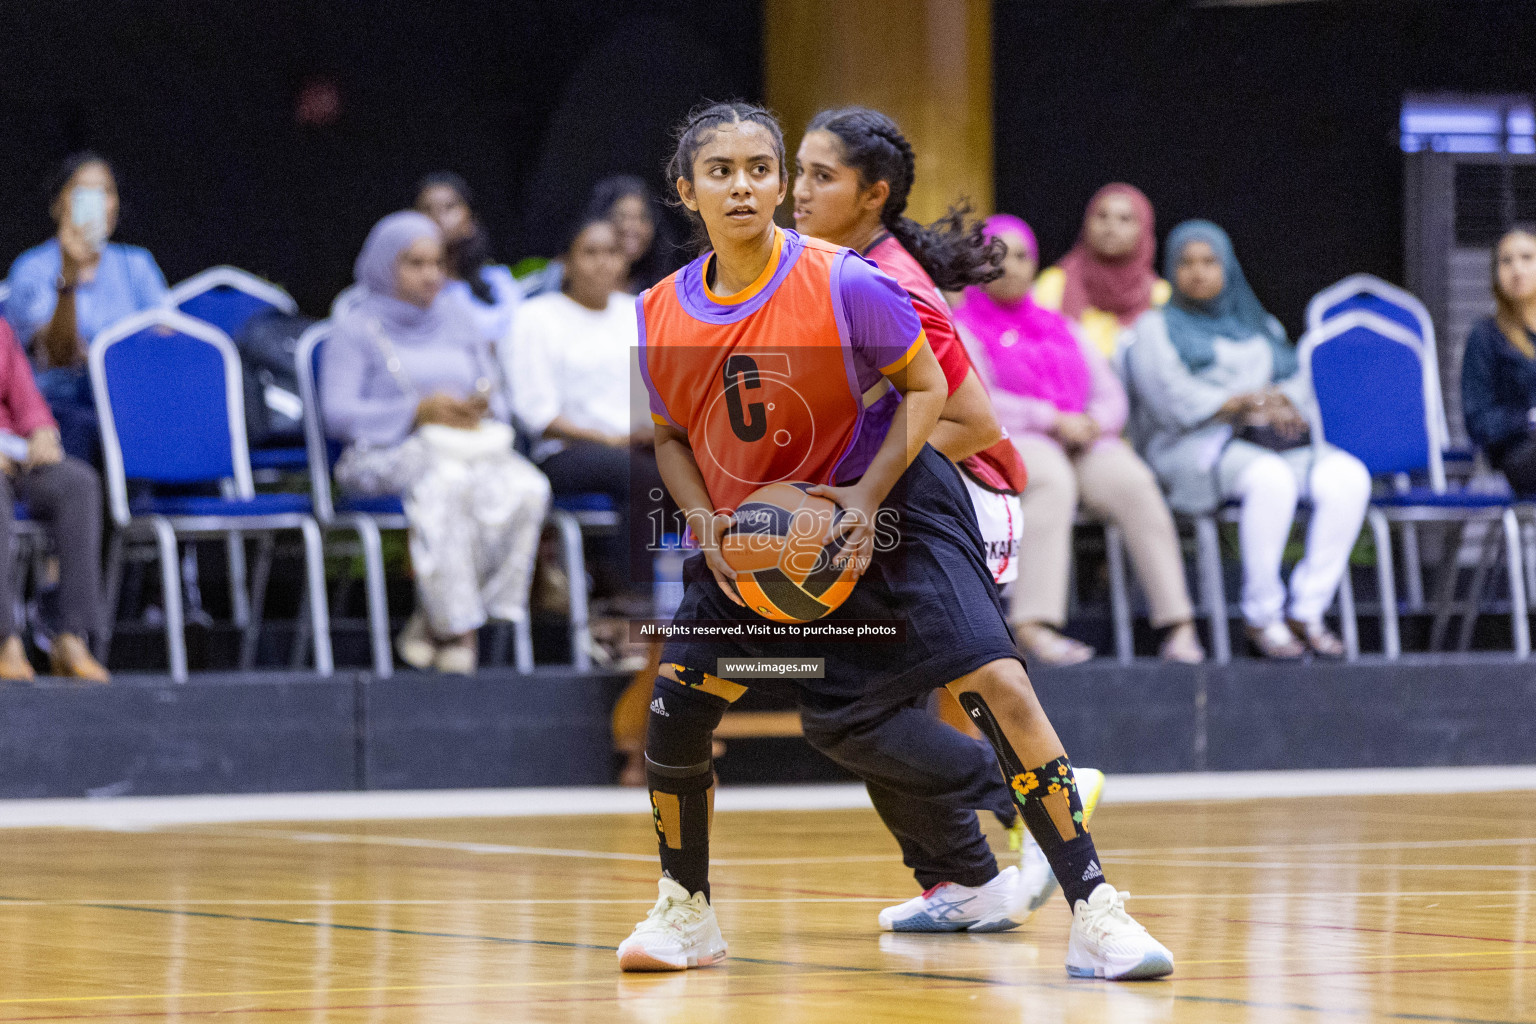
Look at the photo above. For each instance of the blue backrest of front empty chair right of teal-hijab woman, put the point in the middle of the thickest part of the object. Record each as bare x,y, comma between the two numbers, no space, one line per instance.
1377,394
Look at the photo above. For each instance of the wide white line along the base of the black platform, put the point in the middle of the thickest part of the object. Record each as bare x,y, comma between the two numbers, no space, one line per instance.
137,813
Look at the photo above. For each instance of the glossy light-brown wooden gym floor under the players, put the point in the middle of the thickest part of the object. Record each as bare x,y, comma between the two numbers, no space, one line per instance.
1409,908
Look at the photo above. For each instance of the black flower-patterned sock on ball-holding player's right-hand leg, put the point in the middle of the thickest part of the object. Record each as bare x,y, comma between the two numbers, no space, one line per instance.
1051,807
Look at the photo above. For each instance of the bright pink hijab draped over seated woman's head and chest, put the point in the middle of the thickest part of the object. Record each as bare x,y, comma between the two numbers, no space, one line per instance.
1030,351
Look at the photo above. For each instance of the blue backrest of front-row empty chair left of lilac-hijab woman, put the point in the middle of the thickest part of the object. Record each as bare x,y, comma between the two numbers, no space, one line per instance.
170,395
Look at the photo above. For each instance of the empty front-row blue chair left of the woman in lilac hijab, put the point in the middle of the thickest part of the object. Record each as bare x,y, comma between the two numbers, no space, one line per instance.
168,391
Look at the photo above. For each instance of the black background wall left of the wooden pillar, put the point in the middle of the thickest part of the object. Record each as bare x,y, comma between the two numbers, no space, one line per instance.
196,102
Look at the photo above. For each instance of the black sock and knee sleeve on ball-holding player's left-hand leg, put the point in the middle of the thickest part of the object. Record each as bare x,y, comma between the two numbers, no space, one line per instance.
681,773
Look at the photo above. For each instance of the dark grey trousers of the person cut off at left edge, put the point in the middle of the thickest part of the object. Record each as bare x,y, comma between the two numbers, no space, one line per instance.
67,500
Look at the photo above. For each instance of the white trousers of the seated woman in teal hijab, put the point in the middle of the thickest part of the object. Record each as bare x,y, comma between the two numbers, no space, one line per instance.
1339,489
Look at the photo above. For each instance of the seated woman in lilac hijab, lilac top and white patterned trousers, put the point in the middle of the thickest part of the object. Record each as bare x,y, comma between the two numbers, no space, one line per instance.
411,388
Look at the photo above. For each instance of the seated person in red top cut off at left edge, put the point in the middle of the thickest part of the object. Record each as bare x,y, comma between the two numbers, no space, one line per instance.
65,495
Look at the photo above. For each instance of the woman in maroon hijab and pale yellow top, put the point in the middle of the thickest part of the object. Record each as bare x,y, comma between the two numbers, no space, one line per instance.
1107,282
